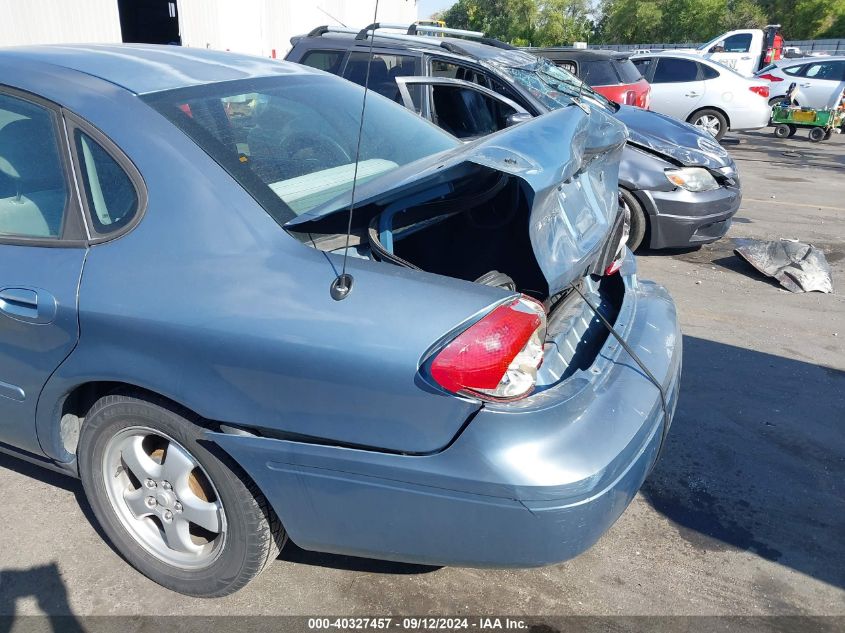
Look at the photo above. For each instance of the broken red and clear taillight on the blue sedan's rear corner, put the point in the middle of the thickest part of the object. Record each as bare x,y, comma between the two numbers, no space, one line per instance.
496,358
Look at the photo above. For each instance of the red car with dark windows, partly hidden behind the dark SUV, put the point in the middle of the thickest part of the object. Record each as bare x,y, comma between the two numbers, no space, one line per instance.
607,72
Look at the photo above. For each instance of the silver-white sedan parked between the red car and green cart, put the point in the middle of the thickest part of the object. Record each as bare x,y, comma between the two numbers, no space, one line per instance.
712,97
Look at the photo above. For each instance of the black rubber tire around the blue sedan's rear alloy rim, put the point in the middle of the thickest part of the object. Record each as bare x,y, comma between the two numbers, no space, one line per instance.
253,534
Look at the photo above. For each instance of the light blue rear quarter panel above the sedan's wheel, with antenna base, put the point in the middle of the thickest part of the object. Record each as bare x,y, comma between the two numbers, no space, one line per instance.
210,303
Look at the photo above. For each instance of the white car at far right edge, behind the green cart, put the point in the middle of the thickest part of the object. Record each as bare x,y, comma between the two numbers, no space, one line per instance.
820,80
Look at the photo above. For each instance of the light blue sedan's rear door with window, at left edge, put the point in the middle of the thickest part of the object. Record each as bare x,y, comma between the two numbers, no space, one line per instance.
42,250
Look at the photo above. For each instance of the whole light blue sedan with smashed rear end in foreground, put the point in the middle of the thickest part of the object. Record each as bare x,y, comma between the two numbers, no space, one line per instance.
489,384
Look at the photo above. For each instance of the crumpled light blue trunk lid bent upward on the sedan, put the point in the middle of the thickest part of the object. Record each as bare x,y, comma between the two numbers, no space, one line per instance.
567,163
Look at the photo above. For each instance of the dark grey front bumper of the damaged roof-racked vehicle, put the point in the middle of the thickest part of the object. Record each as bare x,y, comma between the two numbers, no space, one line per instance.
680,218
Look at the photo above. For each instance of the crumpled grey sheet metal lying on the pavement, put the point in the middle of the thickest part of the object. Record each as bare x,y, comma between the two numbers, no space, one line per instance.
797,267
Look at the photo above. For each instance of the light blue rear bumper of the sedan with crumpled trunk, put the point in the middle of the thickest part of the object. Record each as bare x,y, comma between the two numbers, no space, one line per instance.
523,485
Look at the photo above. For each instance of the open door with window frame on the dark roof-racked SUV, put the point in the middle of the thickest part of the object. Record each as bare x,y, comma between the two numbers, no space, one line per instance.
462,108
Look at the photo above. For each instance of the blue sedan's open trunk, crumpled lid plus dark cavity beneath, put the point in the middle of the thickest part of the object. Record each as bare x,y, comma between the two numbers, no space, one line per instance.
533,208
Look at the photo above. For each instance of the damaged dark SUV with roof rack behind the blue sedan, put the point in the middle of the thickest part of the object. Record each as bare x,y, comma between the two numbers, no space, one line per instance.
680,186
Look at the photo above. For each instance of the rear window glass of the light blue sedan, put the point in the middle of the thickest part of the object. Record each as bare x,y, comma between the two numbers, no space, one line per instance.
291,142
